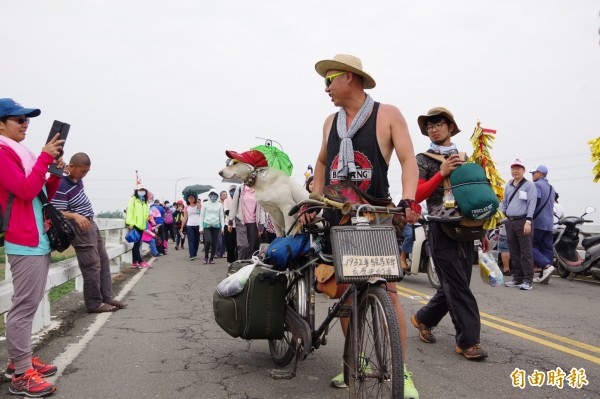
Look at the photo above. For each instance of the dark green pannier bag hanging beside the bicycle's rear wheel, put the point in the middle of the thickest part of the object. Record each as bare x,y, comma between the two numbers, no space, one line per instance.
258,312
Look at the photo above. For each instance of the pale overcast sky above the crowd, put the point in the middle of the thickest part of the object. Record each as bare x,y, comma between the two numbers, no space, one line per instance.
166,87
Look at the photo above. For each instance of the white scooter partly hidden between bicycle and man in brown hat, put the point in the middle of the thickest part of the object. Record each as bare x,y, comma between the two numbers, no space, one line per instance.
420,260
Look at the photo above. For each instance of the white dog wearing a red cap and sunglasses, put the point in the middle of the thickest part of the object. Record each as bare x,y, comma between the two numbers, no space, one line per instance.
275,191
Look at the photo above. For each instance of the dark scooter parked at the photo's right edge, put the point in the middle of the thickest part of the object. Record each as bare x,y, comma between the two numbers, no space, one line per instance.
568,261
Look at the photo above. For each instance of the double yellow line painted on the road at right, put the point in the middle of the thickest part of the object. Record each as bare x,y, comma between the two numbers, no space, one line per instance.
412,294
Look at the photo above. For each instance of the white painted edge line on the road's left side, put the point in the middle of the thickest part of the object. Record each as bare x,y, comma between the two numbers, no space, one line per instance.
63,360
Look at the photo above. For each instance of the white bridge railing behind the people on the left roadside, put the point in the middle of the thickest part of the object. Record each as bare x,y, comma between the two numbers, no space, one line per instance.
113,232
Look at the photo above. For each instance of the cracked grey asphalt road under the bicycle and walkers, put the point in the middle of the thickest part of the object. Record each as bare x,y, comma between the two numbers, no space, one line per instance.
166,344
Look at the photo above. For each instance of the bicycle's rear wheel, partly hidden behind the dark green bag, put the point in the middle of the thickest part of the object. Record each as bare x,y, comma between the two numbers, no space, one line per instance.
283,350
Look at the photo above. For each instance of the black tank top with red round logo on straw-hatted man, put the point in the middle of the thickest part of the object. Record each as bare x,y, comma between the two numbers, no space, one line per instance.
371,168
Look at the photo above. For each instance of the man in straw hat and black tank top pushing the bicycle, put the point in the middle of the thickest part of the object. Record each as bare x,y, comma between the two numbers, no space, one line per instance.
357,146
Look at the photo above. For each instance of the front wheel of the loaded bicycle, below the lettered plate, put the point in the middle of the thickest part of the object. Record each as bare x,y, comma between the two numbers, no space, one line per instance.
378,370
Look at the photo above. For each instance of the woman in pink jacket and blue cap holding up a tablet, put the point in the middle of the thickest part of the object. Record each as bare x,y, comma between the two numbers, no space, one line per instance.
25,242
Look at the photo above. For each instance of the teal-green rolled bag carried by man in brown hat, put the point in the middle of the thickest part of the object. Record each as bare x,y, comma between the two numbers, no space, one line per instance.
473,193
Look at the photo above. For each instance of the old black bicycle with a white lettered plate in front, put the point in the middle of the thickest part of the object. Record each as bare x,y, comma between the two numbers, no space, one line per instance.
366,257
